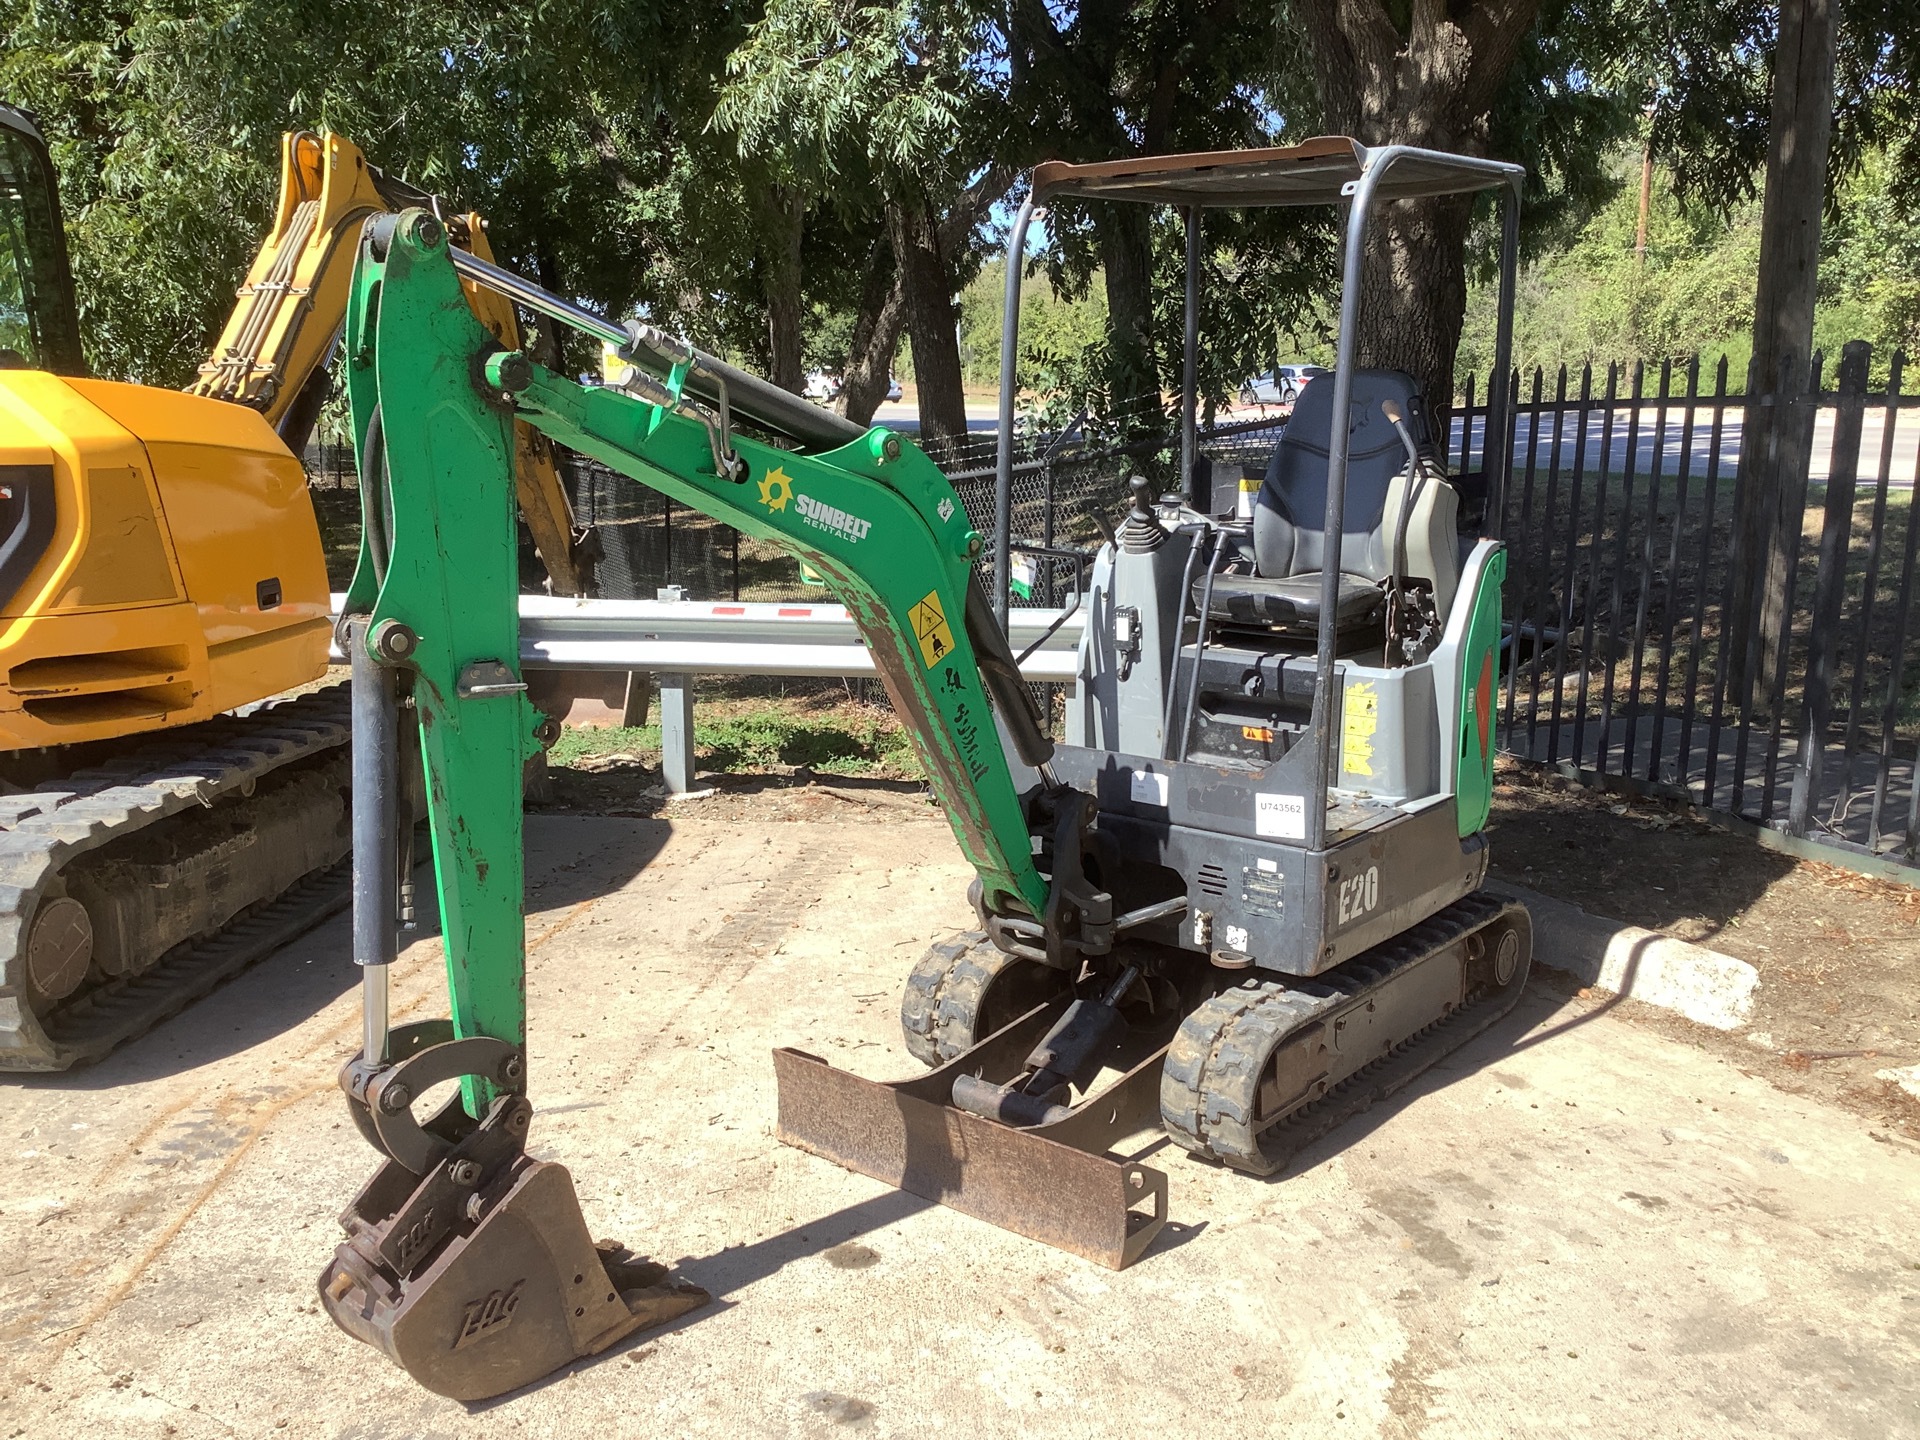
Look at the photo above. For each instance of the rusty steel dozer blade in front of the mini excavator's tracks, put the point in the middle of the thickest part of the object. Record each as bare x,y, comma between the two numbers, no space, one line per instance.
1053,1184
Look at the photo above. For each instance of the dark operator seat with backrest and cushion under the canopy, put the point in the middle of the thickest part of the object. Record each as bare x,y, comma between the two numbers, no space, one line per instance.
1289,517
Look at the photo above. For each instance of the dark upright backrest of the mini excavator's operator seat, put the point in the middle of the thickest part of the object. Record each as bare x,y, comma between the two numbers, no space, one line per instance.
1291,516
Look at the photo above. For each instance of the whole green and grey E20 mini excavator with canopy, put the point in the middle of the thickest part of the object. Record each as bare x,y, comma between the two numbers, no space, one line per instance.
1236,903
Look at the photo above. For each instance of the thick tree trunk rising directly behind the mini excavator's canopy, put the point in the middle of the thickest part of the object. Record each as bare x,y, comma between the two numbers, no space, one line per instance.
1433,85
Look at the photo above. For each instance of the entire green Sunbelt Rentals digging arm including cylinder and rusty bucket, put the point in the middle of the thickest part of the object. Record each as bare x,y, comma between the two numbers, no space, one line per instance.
462,1232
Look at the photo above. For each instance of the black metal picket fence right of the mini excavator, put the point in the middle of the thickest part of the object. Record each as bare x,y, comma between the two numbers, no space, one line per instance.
1623,548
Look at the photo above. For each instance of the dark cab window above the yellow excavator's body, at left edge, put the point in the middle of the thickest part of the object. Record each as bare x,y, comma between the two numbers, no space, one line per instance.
39,327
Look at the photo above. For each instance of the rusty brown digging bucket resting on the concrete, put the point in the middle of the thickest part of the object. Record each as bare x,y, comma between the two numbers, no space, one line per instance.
481,1293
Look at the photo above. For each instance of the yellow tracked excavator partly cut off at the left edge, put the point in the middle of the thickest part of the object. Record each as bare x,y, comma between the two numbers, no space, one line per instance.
162,577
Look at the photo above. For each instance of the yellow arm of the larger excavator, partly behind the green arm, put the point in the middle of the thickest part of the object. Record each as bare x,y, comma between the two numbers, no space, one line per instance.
274,352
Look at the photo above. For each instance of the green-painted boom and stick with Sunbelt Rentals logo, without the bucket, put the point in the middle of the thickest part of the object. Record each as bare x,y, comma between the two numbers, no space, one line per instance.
437,396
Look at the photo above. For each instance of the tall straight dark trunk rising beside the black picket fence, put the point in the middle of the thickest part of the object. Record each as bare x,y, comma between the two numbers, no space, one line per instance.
1777,441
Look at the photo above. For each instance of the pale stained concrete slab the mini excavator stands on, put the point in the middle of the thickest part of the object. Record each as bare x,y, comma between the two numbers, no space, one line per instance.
1572,1228
